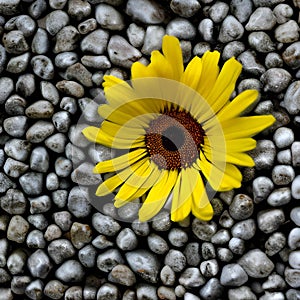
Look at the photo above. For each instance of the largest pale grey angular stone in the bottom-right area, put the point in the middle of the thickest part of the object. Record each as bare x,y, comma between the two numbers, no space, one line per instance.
256,264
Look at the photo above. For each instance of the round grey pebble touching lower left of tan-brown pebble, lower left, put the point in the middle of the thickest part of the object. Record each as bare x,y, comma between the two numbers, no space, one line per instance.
60,249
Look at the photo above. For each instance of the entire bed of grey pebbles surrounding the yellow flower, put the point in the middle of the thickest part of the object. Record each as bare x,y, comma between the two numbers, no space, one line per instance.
53,243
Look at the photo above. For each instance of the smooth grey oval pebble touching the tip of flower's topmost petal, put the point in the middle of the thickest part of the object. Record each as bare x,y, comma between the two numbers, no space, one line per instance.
181,28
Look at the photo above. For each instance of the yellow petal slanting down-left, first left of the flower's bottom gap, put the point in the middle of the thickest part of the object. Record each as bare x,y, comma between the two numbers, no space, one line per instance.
158,195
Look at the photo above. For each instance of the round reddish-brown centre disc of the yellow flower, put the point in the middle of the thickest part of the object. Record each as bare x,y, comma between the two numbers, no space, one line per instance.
174,140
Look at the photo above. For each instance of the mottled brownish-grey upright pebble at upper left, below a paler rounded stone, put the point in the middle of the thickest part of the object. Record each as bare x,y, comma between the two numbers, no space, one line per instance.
66,39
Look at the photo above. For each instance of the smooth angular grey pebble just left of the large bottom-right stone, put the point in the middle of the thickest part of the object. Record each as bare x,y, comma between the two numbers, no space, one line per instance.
233,275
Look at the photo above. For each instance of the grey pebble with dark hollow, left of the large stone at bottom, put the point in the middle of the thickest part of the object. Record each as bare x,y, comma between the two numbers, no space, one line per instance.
109,259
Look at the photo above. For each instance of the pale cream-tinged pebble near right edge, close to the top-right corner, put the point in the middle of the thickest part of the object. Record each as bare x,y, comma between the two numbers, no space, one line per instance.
287,32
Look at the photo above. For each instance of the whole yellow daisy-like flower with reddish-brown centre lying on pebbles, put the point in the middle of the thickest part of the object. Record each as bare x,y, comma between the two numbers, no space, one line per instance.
179,131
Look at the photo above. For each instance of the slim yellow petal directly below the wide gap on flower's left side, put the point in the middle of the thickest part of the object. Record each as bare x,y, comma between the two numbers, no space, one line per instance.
120,162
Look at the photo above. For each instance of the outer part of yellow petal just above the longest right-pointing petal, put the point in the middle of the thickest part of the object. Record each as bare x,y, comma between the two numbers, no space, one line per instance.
238,105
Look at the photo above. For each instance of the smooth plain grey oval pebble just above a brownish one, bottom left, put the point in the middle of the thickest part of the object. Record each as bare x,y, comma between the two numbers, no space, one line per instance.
70,271
